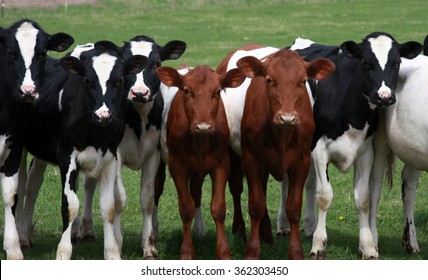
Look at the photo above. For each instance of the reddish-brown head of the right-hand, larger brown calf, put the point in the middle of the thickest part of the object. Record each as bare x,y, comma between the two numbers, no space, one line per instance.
284,74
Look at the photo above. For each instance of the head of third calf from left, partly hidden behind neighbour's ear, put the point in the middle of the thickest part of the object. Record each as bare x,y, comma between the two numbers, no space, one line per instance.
143,86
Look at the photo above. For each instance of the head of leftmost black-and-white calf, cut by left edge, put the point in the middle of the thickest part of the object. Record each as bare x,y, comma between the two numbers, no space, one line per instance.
25,45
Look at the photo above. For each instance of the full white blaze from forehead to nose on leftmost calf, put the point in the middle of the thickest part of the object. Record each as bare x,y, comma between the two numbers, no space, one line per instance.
26,36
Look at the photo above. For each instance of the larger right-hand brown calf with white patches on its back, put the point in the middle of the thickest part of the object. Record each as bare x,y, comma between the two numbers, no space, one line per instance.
271,123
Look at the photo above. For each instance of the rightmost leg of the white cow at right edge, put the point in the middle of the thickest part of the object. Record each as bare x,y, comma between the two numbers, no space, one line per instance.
409,177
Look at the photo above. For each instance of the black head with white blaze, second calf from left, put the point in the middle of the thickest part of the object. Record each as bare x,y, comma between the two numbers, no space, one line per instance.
102,72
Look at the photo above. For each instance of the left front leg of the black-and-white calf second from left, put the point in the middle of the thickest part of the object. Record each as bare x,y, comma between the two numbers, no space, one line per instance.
70,204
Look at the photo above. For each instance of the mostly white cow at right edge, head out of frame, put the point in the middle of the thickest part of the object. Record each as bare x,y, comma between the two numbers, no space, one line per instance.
402,129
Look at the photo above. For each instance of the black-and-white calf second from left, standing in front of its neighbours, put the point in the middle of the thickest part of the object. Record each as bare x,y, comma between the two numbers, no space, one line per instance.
85,135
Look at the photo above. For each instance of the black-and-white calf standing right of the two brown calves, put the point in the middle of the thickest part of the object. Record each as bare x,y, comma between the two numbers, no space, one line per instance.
346,116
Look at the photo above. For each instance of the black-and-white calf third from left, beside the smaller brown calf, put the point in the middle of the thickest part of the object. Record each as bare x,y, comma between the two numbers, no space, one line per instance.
139,148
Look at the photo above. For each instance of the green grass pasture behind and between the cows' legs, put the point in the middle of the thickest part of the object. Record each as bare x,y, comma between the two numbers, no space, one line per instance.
211,29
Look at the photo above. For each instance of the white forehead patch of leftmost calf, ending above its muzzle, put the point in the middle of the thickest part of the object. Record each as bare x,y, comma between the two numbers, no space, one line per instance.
26,35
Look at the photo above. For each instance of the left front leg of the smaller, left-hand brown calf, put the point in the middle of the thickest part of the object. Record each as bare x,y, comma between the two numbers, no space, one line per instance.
186,207
